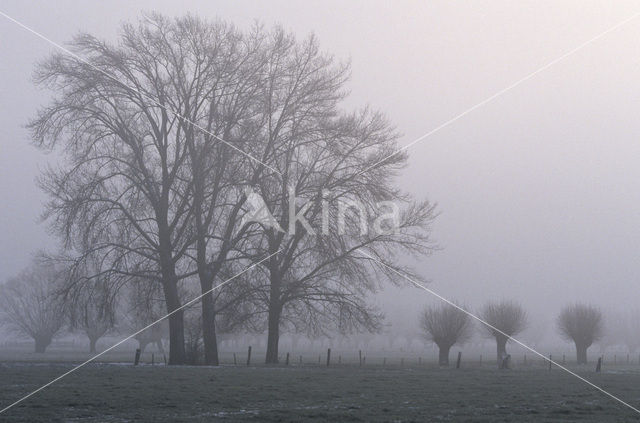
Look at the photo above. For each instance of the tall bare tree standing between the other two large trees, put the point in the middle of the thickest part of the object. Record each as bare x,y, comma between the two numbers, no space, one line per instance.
233,66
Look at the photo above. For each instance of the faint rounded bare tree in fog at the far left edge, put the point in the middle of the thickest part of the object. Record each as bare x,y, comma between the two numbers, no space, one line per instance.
29,305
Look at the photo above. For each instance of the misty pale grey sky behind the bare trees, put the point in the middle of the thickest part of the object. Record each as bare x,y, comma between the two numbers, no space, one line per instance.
539,191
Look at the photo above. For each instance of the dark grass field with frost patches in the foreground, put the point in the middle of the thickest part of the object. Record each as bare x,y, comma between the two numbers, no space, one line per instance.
123,393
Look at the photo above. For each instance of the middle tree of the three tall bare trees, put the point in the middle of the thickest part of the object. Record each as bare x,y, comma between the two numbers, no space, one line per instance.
218,72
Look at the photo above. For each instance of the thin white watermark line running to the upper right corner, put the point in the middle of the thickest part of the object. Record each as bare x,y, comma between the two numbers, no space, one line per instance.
501,92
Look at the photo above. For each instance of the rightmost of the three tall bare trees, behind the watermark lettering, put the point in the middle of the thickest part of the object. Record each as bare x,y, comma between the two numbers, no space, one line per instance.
328,249
